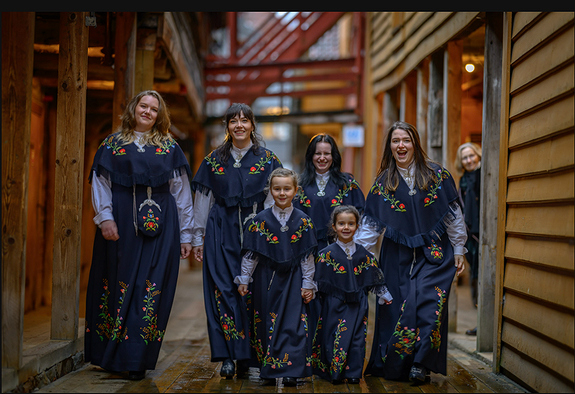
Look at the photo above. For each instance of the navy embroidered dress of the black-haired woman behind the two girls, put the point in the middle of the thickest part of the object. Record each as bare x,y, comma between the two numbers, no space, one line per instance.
319,207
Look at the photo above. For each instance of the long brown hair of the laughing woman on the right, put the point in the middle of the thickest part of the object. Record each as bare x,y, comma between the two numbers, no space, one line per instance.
424,174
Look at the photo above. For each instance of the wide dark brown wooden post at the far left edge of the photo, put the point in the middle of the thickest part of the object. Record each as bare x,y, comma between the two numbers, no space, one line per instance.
17,71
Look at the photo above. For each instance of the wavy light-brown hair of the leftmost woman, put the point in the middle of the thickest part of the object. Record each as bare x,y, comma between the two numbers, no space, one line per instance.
160,132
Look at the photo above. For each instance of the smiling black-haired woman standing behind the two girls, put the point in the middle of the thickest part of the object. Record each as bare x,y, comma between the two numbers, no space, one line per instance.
323,186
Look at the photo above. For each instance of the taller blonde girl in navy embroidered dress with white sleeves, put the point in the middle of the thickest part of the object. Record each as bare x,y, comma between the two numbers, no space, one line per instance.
279,247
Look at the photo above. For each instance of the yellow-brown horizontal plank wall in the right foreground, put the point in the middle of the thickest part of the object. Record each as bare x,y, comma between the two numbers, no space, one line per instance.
537,289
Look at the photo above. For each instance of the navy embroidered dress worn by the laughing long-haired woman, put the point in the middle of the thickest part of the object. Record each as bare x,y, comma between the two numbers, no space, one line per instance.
418,264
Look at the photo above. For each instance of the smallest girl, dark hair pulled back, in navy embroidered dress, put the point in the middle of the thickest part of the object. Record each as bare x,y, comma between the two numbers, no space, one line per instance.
345,273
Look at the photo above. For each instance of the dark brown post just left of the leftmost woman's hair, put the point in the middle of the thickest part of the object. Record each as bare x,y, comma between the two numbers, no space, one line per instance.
124,64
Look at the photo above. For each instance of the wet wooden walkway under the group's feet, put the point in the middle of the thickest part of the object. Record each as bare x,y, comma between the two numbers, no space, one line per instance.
184,365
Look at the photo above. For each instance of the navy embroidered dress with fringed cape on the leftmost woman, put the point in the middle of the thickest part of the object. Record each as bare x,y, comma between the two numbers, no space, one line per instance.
133,280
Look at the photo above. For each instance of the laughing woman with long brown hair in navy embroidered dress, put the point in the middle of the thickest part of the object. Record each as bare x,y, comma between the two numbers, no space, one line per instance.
414,204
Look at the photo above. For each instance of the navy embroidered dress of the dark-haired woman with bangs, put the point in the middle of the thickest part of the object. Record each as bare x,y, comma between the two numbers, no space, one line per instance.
239,193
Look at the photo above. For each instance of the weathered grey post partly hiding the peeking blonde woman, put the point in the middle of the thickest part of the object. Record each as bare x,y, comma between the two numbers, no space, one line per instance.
489,181
